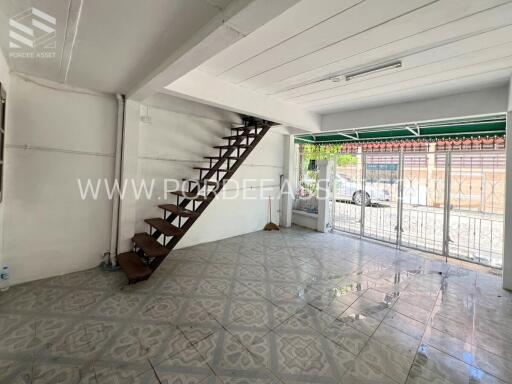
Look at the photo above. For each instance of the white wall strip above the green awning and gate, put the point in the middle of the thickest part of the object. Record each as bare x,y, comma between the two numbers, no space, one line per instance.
491,100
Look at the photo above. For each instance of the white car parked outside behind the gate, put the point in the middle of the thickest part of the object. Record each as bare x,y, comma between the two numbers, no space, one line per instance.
353,190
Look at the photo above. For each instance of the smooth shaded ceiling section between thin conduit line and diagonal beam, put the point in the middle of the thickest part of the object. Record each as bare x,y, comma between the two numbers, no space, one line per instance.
125,39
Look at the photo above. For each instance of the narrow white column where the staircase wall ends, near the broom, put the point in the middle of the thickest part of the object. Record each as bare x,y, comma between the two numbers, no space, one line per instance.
289,182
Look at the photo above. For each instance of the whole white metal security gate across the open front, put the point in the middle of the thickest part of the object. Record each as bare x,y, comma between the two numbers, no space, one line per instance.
449,202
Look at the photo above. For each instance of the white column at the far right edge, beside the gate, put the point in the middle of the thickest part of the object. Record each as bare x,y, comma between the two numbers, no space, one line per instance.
507,243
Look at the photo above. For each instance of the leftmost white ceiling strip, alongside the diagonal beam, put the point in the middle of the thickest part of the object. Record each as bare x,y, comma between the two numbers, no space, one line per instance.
305,15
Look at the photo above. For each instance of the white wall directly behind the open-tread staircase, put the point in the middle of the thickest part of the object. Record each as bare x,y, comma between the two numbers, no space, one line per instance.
181,133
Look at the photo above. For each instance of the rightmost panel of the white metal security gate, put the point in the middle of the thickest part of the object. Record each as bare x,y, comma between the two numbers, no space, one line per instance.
477,190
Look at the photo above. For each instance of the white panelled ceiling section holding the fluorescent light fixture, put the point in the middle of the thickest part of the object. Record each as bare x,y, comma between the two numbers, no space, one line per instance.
445,46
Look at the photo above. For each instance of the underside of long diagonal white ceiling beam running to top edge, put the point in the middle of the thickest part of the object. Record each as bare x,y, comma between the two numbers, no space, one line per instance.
233,23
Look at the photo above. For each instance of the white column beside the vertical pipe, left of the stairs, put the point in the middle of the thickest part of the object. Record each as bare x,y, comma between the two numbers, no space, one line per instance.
128,203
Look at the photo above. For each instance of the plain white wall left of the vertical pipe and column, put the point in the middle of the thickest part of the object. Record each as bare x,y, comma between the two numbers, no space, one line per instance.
55,136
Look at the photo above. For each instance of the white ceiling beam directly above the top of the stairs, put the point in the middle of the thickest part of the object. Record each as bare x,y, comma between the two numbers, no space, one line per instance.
202,87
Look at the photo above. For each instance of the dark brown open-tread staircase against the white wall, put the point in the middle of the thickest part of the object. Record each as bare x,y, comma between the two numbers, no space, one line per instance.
150,249
